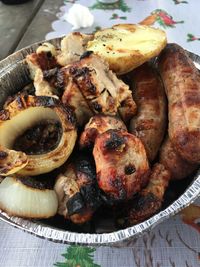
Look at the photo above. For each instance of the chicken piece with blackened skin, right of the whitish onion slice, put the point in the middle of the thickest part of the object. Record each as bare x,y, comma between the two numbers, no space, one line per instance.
77,191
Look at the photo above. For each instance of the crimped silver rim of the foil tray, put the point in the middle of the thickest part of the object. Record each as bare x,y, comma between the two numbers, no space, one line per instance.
107,239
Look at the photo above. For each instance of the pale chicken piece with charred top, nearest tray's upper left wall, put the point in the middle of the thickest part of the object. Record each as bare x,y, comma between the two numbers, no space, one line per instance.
43,66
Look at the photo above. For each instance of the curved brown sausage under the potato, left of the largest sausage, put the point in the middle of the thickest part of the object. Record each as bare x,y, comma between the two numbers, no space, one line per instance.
149,124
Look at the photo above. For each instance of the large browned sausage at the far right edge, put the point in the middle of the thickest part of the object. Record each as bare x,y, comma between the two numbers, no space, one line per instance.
182,84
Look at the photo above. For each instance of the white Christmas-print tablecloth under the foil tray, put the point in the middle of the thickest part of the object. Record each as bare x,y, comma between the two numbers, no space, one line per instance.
176,242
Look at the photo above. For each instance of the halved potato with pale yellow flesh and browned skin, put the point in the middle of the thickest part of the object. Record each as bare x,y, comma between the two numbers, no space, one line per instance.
127,46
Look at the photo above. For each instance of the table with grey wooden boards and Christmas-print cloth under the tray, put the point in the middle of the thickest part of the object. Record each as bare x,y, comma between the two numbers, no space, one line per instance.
174,243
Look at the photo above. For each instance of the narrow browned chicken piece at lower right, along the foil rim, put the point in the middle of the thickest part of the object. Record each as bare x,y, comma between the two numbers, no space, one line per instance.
150,199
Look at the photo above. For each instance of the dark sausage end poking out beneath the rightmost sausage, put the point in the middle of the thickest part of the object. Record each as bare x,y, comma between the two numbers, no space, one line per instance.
170,158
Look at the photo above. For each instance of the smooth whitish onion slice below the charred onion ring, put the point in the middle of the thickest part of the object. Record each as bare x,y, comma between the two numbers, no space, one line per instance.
18,199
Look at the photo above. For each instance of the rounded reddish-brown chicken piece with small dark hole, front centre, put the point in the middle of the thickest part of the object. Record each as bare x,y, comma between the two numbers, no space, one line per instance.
121,164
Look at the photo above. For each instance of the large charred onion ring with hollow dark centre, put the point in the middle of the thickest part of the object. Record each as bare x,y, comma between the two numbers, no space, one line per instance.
21,114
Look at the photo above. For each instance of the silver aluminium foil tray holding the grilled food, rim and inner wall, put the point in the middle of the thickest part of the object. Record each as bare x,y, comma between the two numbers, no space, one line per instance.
14,76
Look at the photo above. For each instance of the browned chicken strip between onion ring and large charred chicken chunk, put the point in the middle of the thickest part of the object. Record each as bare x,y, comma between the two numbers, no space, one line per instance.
73,97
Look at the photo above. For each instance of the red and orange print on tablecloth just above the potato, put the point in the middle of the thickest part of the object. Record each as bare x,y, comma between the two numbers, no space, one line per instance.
162,18
